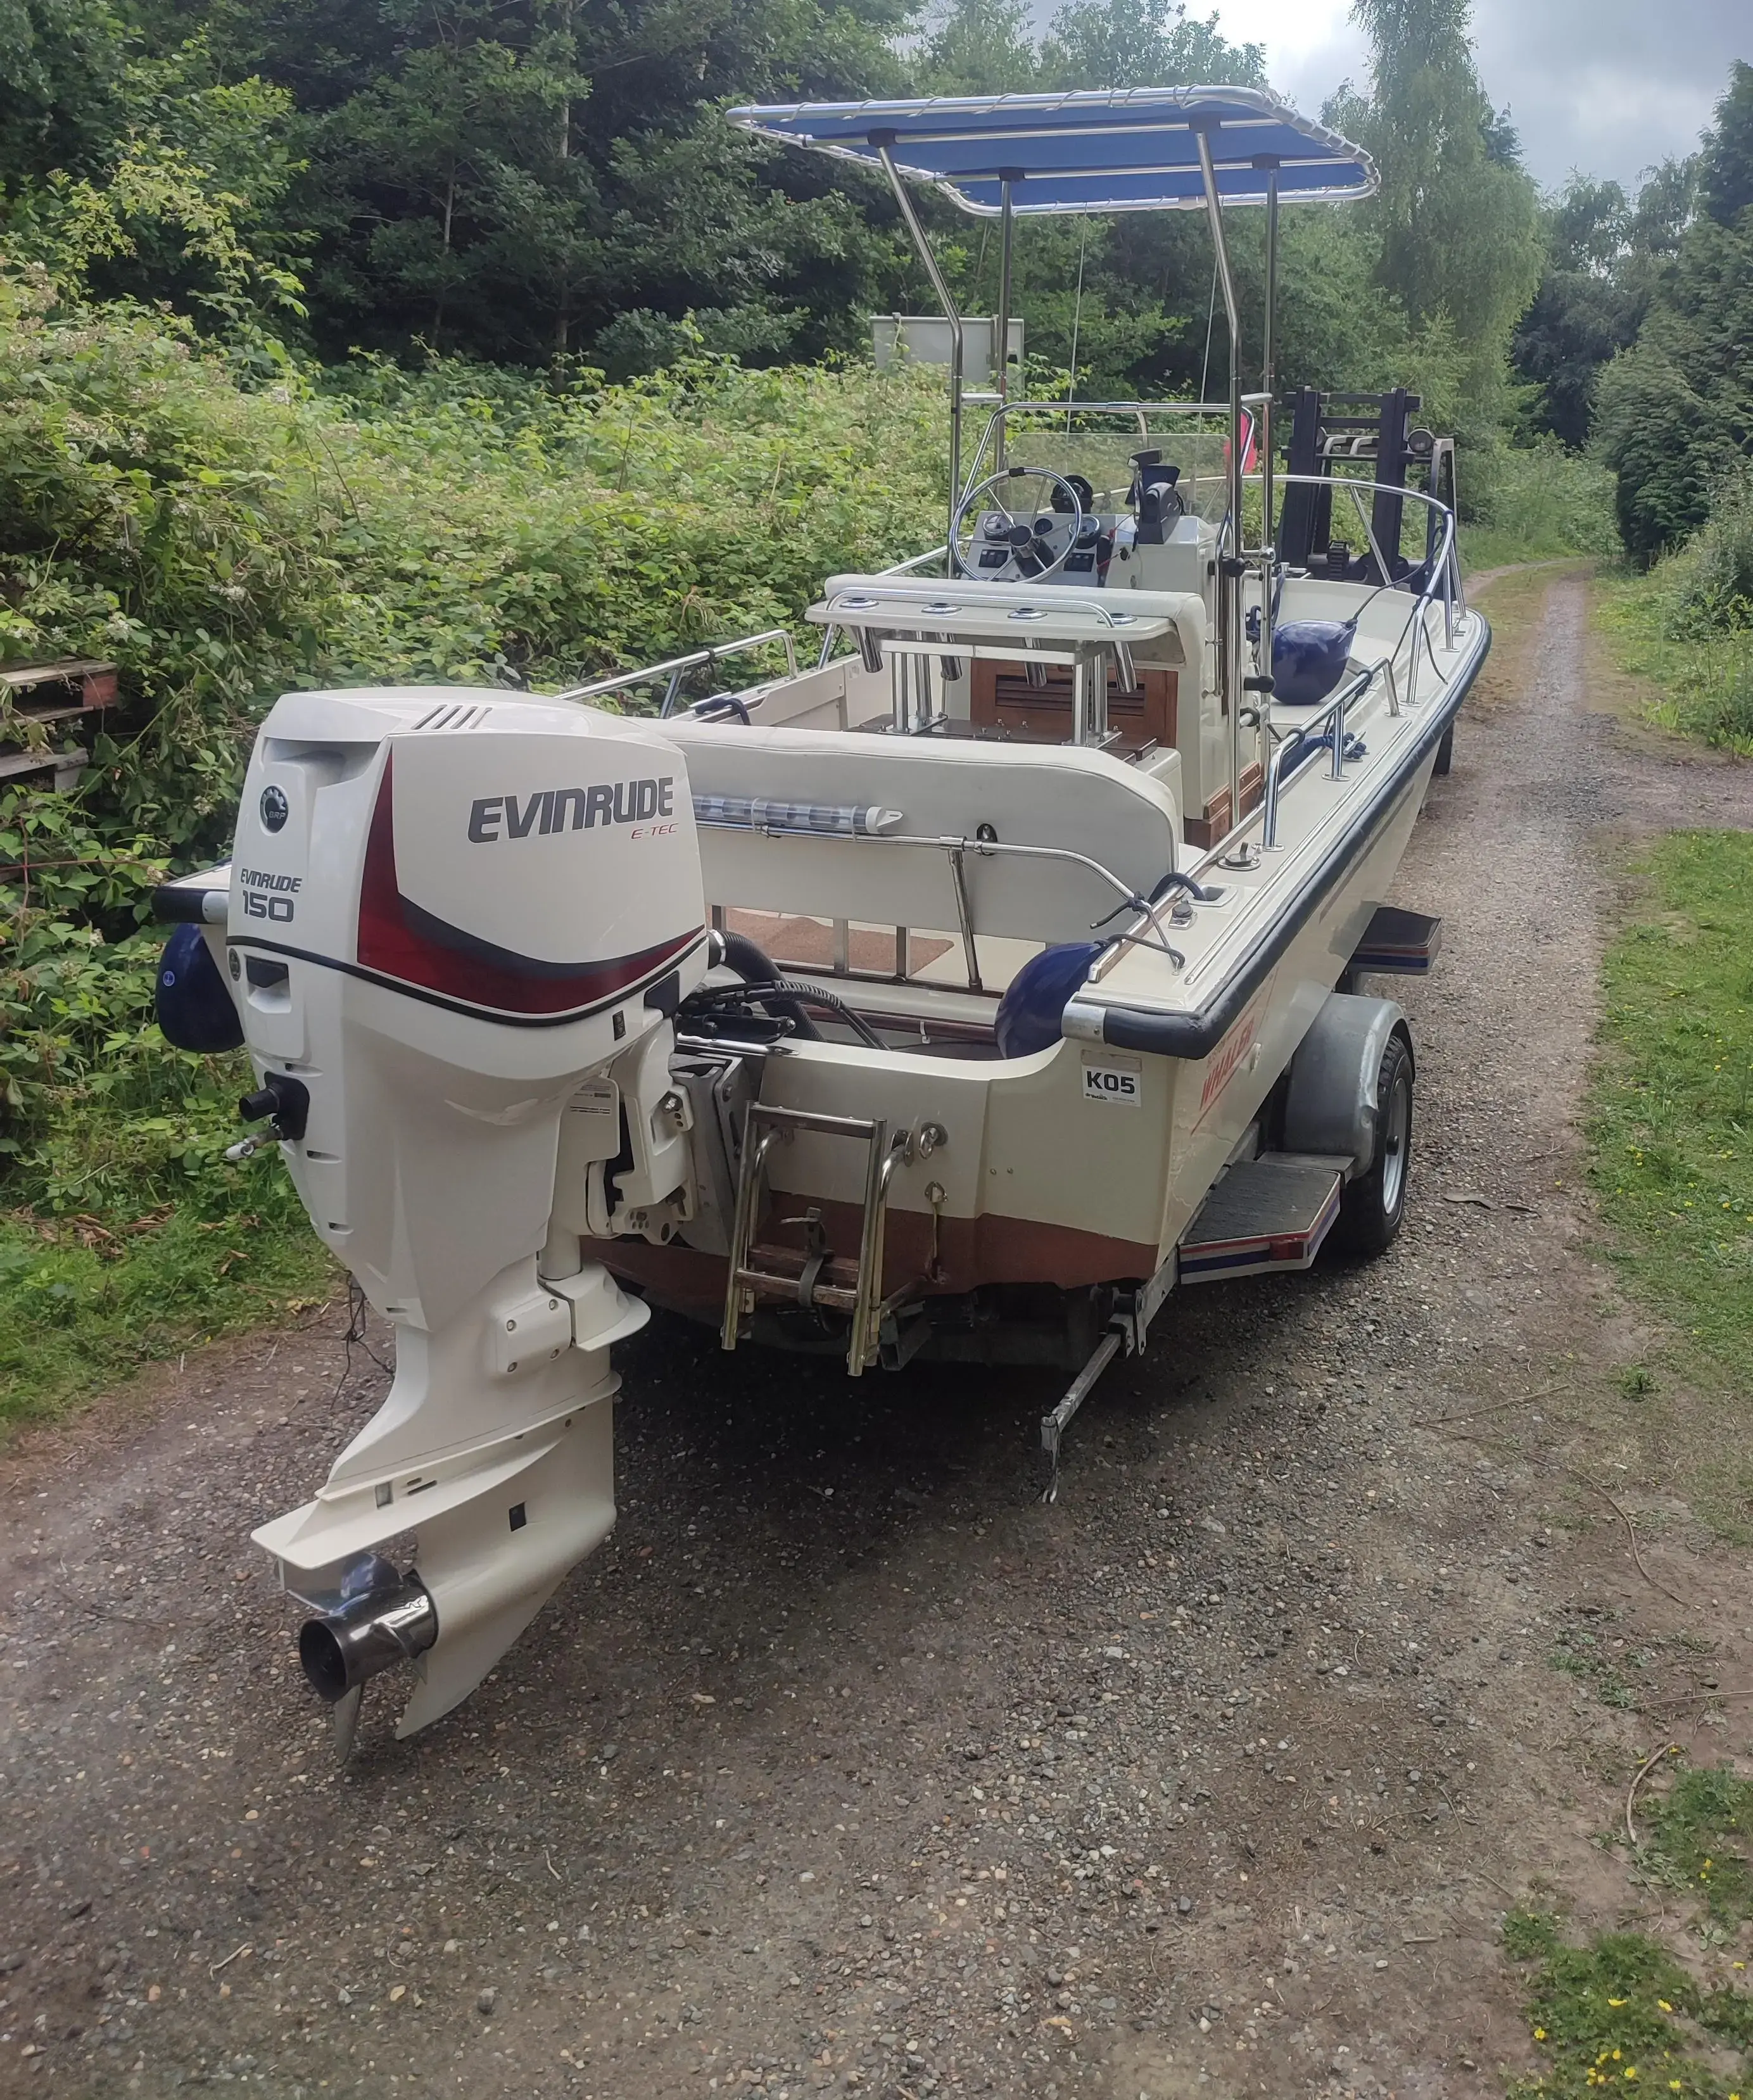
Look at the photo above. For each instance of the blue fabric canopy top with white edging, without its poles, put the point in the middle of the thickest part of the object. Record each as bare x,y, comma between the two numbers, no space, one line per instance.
1124,150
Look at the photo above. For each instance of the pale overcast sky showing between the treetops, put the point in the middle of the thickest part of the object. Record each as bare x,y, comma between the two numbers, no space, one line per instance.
1607,87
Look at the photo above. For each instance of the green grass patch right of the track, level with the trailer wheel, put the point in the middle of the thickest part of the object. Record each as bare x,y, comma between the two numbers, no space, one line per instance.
1670,1120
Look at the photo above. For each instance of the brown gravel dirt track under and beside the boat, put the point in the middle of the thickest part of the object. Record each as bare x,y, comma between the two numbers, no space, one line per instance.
849,1763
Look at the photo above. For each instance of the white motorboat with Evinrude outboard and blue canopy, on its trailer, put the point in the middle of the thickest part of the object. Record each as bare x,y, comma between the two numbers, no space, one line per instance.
958,994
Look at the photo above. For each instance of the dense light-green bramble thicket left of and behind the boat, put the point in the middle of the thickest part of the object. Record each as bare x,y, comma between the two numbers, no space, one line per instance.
228,545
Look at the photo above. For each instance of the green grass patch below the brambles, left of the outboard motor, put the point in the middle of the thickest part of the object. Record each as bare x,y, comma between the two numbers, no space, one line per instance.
85,1301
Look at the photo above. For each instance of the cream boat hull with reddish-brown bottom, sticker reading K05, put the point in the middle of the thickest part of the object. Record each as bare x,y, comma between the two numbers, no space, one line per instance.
1063,1173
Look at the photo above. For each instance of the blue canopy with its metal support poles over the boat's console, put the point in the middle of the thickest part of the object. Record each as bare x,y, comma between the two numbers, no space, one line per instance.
1114,150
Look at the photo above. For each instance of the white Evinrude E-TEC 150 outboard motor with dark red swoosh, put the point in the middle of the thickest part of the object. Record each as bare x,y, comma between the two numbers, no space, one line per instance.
459,927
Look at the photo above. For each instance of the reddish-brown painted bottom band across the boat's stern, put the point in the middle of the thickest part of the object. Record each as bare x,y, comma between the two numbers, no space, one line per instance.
971,1253
